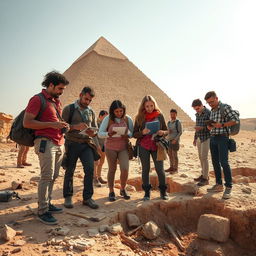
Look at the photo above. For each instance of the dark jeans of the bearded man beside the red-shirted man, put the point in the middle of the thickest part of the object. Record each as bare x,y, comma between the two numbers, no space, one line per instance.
85,153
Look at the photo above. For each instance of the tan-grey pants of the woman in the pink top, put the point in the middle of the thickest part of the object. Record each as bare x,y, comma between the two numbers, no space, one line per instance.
112,157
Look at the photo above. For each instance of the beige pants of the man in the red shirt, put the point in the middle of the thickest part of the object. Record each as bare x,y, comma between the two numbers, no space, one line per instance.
50,162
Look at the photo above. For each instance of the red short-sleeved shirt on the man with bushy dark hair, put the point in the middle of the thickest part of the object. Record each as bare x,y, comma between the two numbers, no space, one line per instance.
49,115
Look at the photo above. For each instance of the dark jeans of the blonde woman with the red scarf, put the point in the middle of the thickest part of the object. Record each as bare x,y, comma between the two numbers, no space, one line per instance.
145,162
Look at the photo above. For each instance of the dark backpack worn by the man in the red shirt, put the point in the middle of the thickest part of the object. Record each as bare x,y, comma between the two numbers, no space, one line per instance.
20,134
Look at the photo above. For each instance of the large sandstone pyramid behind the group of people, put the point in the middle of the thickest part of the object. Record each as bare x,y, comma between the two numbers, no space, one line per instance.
113,77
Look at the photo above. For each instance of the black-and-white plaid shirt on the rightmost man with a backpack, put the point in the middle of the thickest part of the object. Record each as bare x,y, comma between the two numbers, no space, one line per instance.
229,115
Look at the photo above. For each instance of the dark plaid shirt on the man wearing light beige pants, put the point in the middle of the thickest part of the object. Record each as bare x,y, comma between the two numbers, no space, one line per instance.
204,134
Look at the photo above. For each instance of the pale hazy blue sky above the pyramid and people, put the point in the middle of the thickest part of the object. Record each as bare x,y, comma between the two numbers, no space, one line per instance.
186,47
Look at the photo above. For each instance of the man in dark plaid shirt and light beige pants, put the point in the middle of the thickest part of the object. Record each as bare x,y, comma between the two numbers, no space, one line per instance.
202,140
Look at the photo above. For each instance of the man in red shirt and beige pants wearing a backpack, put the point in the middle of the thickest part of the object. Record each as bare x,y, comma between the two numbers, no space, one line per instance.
49,140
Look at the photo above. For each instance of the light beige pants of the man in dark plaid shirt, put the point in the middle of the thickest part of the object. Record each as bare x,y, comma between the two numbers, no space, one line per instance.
203,149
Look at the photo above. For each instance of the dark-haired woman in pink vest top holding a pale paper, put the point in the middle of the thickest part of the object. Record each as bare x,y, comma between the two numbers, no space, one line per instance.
117,127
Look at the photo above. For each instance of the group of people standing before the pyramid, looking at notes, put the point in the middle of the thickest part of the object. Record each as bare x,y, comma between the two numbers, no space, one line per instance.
74,131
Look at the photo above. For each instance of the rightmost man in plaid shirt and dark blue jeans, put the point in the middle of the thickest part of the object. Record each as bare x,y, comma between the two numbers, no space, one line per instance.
219,130
